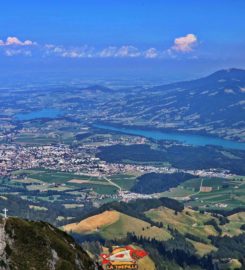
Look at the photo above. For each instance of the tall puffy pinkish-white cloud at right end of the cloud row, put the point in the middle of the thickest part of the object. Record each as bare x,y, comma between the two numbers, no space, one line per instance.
184,44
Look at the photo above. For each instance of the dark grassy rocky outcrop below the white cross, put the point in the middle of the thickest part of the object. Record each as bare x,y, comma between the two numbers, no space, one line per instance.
38,245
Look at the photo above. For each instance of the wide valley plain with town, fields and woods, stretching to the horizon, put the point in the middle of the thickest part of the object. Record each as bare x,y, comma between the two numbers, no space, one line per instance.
56,162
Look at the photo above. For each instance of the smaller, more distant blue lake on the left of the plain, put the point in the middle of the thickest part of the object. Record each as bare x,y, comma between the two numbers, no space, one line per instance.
44,113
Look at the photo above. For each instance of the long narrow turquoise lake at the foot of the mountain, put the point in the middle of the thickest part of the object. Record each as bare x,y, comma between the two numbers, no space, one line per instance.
197,140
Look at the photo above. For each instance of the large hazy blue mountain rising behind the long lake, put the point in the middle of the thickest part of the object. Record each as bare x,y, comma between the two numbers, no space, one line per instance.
211,105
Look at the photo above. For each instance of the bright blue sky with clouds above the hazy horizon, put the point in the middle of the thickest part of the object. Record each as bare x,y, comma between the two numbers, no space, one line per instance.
190,36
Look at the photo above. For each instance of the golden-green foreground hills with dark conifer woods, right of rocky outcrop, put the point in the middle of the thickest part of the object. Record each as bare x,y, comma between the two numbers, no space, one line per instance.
173,235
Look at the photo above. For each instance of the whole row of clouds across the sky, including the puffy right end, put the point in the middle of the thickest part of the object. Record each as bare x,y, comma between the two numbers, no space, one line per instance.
14,46
